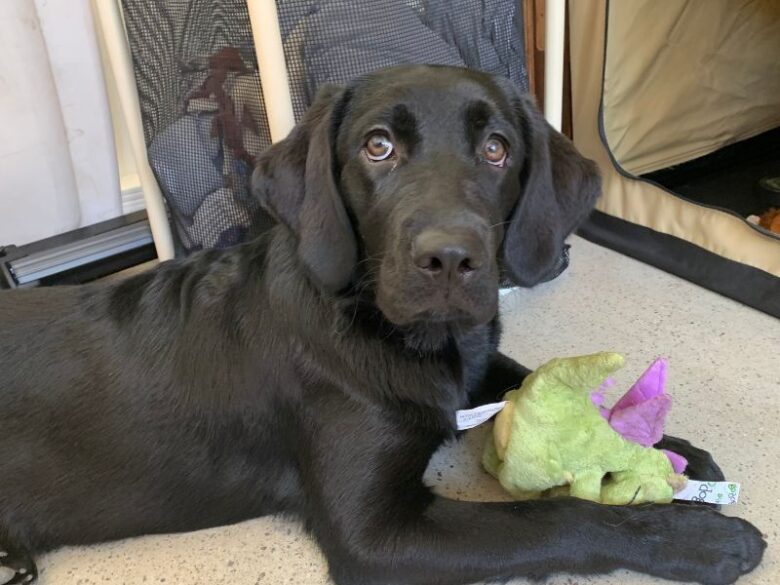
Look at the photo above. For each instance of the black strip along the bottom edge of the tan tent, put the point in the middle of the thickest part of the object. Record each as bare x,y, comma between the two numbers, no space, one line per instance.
748,285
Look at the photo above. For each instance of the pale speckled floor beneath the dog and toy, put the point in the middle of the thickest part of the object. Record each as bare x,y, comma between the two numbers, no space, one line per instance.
724,376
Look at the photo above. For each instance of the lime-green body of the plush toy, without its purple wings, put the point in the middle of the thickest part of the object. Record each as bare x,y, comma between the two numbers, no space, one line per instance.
550,439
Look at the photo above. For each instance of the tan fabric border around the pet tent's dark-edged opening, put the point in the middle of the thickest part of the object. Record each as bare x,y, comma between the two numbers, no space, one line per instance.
638,201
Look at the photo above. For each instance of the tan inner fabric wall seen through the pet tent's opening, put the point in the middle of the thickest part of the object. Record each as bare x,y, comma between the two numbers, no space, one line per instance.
687,77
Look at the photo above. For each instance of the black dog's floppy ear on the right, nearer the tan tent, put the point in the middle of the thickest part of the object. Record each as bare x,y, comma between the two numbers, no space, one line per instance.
559,188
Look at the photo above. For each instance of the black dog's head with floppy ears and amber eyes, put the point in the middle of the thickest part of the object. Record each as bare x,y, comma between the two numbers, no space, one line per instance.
430,184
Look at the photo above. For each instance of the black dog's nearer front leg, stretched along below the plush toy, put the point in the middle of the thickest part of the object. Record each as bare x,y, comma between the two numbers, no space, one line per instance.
378,524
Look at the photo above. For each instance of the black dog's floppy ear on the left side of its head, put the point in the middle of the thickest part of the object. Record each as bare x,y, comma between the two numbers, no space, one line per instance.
295,182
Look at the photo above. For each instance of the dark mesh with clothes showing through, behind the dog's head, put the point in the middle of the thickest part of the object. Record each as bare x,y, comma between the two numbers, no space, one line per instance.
200,90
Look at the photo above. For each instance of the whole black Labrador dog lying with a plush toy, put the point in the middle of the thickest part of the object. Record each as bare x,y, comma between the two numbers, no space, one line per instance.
315,370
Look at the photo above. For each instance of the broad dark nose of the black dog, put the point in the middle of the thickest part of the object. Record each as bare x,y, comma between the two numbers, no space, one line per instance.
447,255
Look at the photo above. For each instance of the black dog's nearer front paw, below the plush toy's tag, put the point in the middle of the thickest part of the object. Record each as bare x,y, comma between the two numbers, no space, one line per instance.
698,544
